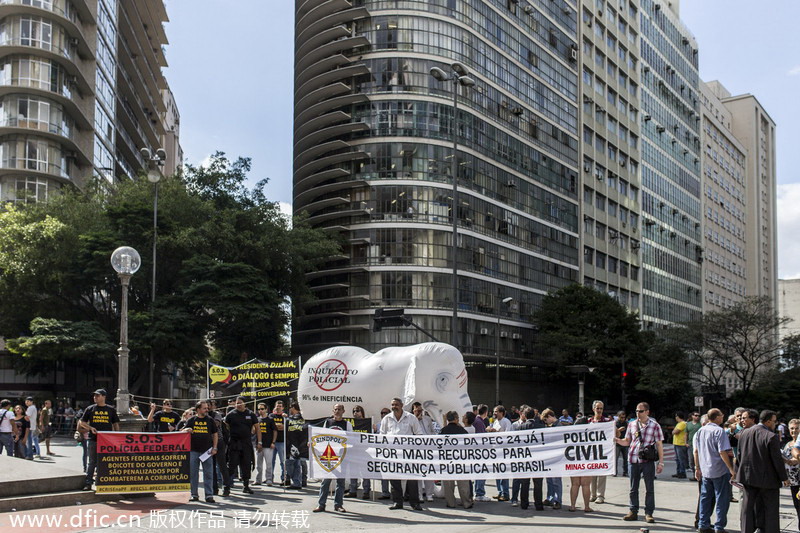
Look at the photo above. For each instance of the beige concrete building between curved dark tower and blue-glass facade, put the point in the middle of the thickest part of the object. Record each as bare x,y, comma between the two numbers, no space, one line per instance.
611,149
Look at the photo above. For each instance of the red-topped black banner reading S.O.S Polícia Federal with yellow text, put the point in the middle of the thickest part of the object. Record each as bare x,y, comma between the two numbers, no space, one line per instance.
142,462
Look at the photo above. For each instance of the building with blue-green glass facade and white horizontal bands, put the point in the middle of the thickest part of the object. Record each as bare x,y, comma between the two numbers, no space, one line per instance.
672,243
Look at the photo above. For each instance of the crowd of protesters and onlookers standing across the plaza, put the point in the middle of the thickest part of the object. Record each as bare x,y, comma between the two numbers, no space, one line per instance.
748,455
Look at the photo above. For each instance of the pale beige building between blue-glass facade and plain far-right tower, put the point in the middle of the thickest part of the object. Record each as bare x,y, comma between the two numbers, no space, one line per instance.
725,204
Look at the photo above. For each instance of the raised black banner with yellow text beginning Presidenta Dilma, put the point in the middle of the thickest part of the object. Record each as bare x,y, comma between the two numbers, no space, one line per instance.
254,380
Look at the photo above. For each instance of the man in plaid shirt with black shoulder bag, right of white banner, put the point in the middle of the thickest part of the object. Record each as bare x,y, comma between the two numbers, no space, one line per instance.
645,440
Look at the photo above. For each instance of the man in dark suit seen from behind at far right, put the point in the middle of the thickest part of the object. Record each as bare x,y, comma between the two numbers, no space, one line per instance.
762,473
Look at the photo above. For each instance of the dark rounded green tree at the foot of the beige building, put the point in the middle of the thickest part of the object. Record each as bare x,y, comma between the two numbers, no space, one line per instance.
581,326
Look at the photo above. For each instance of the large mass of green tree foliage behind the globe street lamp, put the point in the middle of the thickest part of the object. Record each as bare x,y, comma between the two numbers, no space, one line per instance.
229,264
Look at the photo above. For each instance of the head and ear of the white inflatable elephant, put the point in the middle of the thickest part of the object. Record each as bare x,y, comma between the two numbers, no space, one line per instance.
436,378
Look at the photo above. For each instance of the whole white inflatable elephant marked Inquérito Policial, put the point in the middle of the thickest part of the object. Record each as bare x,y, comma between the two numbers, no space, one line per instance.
432,373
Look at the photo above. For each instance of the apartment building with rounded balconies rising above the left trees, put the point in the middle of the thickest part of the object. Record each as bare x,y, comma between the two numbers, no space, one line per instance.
81,92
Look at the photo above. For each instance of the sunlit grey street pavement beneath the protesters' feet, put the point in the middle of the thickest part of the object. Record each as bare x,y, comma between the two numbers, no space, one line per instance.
271,508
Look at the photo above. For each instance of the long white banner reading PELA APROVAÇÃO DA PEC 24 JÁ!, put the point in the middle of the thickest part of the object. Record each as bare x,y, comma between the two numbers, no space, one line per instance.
583,450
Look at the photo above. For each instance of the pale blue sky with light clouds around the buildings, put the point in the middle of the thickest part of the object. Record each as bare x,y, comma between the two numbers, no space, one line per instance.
231,72
